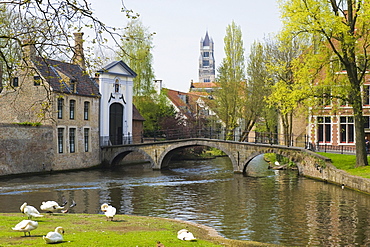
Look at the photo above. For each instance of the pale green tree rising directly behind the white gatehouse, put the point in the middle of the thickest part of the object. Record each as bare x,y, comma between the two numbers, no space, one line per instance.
138,43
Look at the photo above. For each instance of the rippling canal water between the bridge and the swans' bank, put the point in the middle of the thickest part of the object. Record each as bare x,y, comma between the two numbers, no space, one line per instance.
277,207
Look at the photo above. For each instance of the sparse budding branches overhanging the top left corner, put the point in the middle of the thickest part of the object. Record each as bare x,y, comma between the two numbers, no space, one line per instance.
49,26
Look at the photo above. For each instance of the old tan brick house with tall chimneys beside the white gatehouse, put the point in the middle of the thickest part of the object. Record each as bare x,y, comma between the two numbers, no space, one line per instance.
57,95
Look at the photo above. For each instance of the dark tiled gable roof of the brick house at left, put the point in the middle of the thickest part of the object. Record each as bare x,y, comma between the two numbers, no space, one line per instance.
52,71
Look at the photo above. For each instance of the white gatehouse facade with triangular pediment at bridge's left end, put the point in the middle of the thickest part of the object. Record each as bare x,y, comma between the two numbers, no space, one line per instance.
116,89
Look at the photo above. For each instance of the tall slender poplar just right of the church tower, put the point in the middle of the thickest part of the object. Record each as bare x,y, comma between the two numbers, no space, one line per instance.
231,78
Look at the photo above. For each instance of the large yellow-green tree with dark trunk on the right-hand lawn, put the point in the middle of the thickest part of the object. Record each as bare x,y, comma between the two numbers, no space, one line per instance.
338,29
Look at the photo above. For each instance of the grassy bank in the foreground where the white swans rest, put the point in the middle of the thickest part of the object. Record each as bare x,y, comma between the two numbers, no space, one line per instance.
128,231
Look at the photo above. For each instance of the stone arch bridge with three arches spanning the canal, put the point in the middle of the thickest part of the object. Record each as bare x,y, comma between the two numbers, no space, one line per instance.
240,153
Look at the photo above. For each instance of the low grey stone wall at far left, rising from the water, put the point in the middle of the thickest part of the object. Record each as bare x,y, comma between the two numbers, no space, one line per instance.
25,149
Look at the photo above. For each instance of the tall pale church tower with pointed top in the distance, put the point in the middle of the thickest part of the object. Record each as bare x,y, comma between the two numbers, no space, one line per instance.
206,60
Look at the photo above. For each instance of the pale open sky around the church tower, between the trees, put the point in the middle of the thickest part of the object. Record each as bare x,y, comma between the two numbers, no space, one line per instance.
180,24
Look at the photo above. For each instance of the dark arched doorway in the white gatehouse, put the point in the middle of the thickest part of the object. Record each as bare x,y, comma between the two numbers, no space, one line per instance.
116,123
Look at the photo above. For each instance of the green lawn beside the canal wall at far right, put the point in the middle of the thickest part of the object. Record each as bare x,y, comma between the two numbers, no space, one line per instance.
347,163
